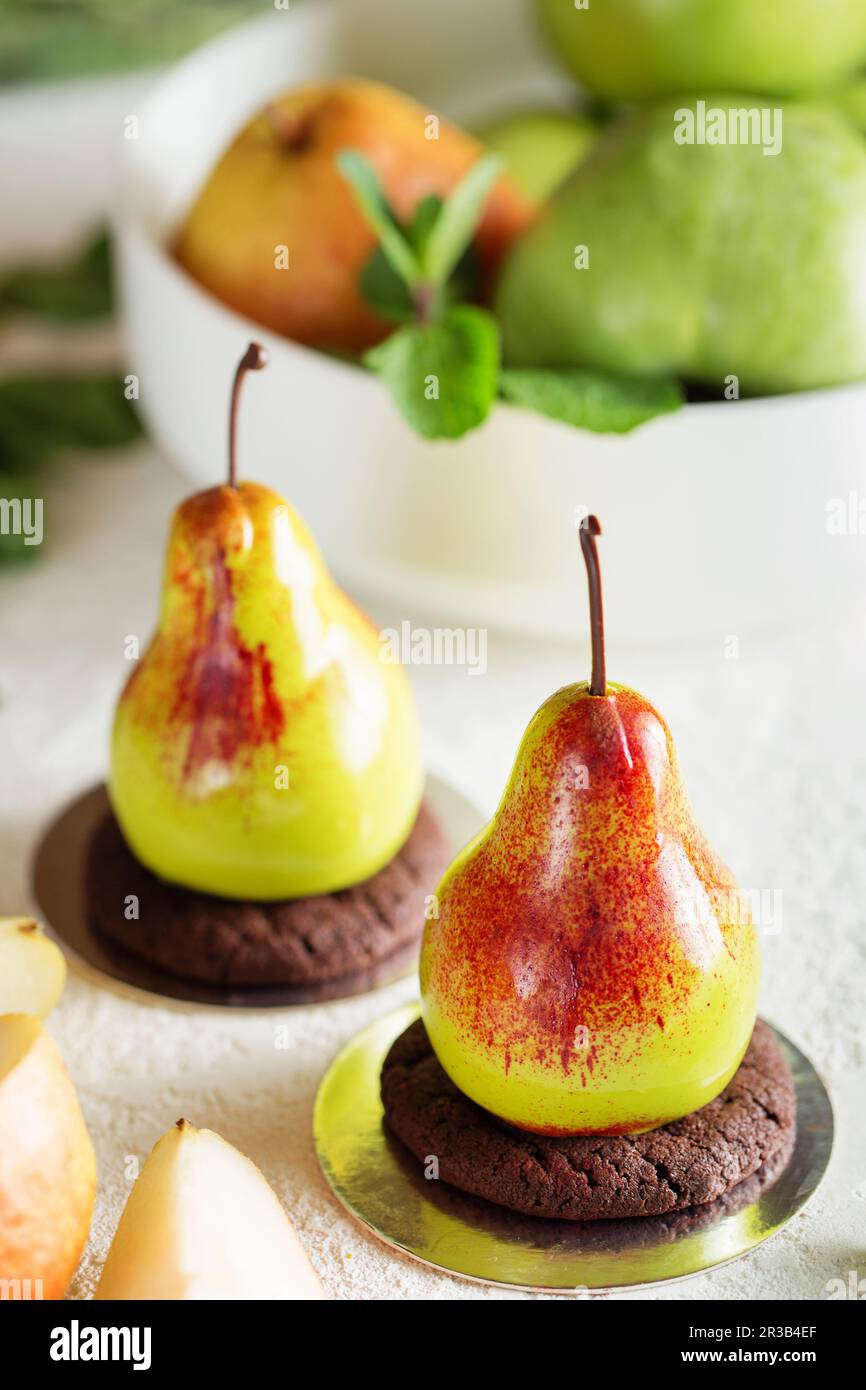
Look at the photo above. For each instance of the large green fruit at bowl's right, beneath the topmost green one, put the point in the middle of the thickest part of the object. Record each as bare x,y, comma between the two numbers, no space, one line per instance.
708,261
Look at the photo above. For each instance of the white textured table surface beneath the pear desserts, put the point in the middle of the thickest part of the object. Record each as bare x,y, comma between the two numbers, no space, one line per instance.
774,751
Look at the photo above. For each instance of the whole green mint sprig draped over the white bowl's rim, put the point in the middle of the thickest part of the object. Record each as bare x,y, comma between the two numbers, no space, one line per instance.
443,361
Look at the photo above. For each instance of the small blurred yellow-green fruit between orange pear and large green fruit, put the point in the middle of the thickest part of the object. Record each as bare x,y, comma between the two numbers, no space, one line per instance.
541,148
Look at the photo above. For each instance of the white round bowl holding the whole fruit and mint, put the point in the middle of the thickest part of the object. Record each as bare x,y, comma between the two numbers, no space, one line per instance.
715,519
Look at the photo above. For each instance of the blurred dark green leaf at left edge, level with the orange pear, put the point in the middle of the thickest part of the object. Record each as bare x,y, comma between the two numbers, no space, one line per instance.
63,294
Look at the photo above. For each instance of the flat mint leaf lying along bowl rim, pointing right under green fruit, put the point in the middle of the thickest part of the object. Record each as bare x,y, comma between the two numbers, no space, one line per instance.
591,400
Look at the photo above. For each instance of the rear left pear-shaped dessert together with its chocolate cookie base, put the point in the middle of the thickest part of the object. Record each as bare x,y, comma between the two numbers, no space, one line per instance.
266,753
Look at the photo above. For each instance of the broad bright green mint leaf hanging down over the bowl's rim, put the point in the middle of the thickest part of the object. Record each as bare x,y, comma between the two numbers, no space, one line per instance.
443,376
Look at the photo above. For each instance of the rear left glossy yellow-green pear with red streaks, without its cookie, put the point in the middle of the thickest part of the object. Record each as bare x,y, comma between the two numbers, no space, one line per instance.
262,747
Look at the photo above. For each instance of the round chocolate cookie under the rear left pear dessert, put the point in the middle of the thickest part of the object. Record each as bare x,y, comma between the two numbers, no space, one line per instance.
302,942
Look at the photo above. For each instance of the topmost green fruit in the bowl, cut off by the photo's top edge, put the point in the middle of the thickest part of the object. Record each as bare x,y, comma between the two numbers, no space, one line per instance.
636,49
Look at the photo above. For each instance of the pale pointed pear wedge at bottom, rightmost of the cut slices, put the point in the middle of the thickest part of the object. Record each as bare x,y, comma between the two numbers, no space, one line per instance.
202,1223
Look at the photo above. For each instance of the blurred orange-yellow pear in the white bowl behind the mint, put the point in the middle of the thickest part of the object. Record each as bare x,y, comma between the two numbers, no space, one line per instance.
279,186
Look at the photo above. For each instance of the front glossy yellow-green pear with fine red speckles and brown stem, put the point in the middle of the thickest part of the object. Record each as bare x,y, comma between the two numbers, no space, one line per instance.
593,968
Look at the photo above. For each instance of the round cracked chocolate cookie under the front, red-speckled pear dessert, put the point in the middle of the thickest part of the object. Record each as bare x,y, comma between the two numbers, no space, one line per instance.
589,1178
